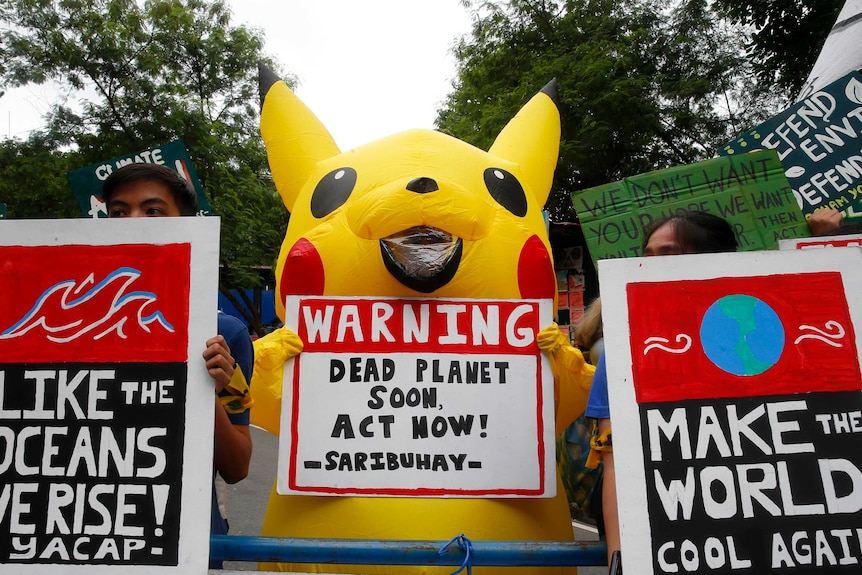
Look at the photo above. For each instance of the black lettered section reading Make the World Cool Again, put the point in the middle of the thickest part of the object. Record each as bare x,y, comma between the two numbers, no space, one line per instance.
755,484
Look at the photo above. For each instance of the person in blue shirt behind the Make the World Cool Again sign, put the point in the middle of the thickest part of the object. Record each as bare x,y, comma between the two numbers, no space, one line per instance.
688,232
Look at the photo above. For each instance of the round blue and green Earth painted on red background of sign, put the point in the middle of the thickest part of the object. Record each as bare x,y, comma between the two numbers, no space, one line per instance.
742,335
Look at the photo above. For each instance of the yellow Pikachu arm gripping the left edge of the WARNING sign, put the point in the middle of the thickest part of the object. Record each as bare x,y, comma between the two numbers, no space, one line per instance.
270,354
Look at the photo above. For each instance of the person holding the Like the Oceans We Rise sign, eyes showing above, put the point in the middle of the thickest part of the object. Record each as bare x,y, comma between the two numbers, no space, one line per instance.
151,190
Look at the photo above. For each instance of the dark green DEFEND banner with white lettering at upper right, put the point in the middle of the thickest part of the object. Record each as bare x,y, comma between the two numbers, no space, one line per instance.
819,143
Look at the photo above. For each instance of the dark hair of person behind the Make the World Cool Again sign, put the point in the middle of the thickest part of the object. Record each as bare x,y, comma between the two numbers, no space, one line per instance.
697,232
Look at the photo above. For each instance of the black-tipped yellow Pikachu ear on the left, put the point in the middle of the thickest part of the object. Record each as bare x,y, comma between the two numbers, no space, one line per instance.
295,139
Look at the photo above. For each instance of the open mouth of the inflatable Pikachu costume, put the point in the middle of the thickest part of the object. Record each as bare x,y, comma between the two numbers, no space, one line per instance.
423,258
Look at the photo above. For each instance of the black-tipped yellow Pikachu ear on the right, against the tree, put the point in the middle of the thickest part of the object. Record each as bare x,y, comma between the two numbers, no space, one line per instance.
532,141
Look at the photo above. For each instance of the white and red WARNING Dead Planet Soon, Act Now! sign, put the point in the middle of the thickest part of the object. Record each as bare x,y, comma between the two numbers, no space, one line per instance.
417,397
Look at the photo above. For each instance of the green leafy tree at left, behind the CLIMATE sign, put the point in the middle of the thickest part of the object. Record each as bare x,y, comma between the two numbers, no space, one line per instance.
148,72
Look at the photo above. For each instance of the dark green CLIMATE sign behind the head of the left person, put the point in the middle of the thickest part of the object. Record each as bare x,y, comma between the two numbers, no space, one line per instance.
86,183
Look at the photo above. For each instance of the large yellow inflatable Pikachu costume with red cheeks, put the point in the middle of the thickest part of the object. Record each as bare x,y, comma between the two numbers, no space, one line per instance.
416,214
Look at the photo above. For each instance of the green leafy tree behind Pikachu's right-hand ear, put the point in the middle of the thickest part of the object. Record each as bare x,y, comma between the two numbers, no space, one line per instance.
643,85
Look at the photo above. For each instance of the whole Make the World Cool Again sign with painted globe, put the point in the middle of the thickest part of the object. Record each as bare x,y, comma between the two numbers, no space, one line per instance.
734,384
